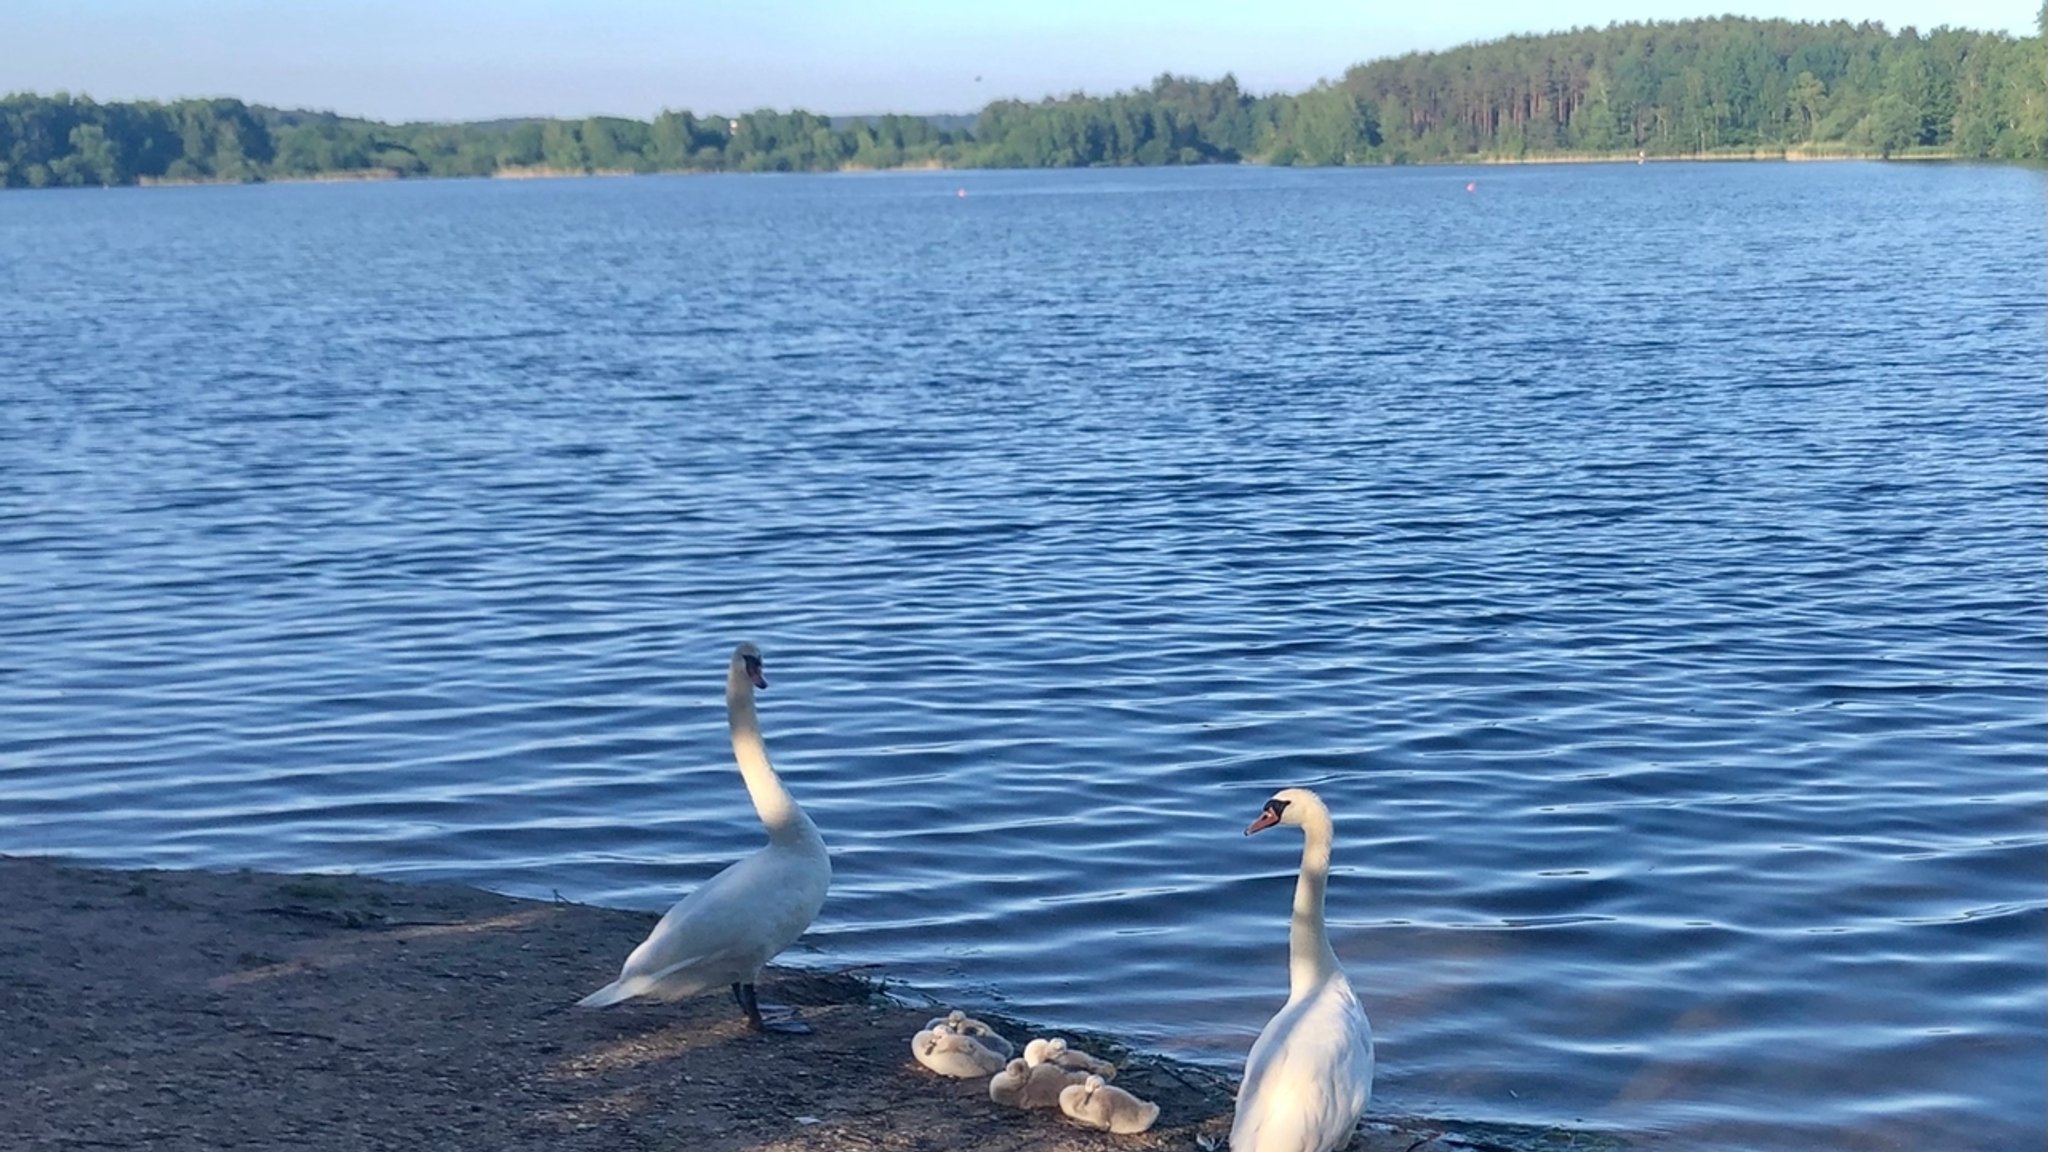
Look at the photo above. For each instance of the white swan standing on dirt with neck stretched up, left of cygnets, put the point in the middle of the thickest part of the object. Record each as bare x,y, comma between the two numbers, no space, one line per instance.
740,919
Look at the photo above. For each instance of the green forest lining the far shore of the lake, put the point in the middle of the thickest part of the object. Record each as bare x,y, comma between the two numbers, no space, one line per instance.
1721,87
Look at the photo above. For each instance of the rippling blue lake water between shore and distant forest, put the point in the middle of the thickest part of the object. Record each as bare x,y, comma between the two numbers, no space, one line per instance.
1646,563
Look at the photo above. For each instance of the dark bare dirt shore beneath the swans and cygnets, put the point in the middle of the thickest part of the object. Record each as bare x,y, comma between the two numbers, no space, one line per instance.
185,1010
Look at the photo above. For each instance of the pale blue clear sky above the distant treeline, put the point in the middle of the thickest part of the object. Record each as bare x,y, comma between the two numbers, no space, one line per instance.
404,60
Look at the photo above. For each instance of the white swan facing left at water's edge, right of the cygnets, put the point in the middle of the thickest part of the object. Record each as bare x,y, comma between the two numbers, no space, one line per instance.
1310,1075
